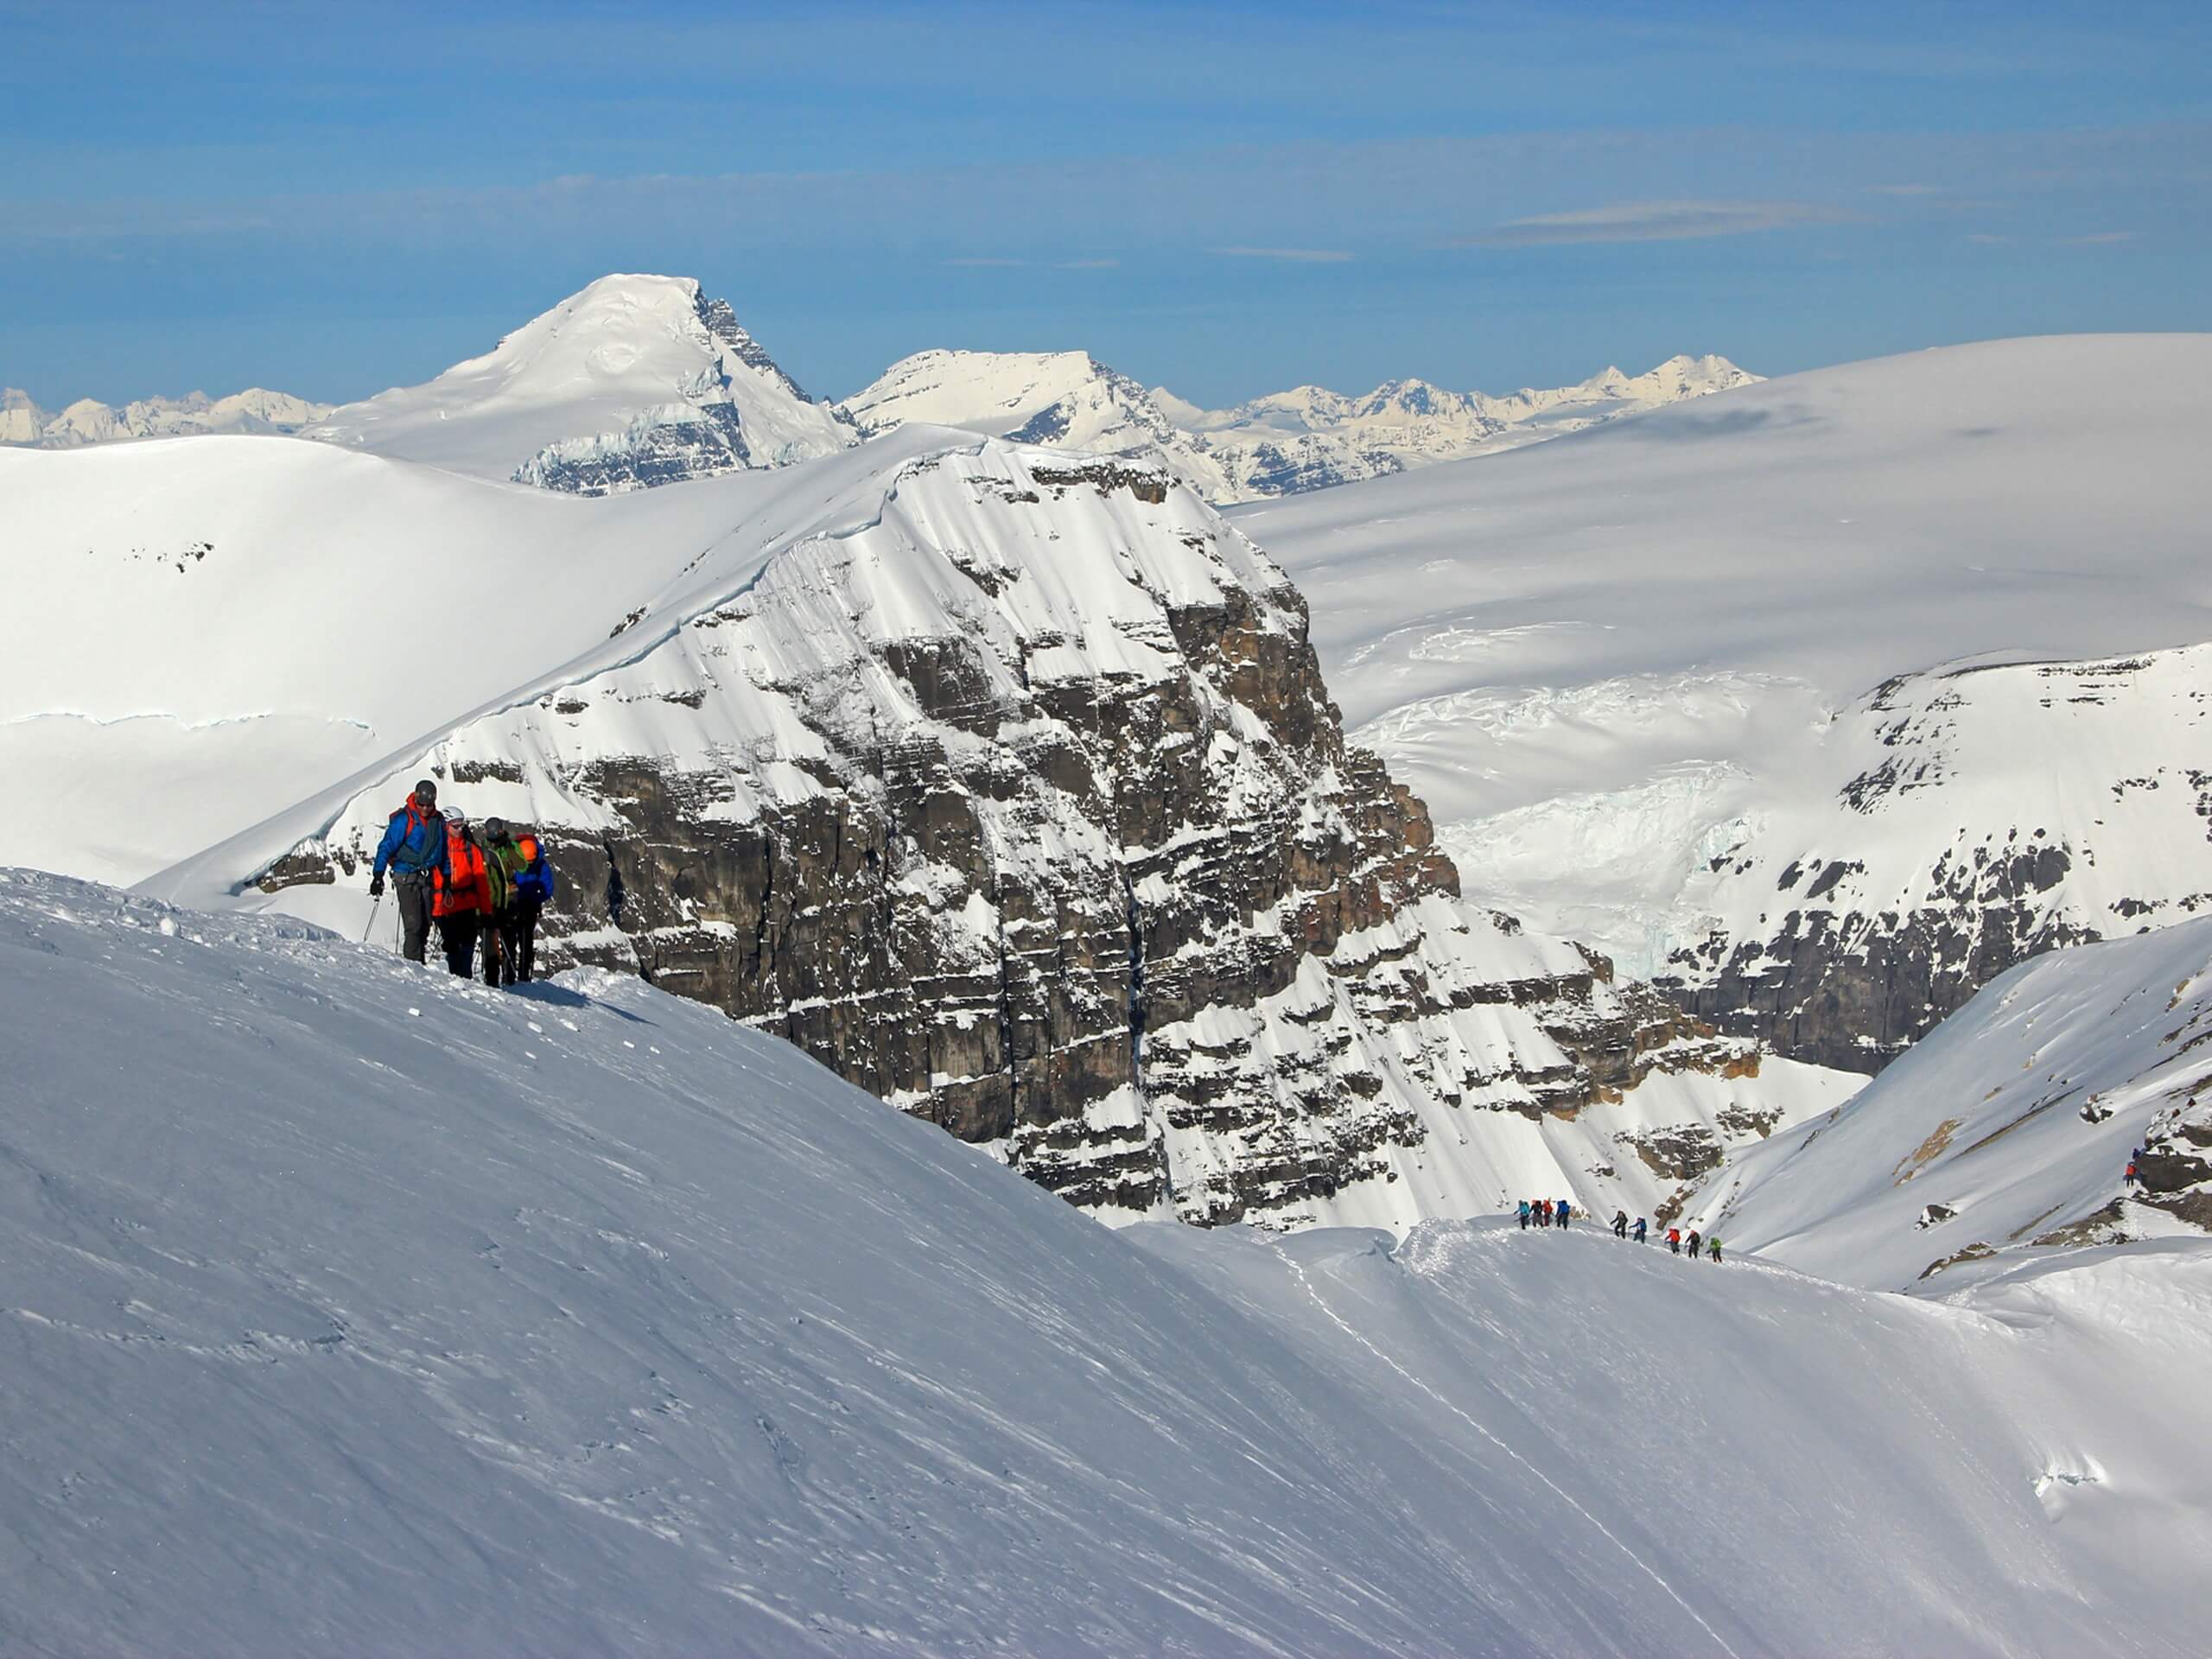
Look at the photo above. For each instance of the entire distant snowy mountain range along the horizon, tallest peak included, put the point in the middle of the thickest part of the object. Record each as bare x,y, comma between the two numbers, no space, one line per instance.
643,382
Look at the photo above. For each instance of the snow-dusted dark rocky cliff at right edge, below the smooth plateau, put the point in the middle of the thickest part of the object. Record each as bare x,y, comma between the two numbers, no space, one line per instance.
1990,815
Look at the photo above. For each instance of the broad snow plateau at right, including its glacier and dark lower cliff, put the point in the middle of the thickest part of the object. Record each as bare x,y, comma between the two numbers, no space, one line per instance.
1826,700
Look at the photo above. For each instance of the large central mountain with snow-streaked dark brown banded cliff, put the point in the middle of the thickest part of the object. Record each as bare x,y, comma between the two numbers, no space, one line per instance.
1021,804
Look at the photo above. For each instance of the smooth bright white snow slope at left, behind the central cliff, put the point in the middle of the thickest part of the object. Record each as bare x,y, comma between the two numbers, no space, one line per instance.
251,620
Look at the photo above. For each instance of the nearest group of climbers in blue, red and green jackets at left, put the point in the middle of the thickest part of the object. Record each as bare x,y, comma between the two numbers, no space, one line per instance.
479,884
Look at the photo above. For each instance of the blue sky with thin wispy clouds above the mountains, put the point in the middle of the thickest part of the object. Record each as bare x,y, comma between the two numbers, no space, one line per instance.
1224,198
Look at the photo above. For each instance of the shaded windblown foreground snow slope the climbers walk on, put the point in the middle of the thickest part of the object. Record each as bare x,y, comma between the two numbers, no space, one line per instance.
362,1311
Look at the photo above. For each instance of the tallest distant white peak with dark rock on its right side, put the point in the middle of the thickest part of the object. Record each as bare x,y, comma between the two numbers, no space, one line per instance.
629,384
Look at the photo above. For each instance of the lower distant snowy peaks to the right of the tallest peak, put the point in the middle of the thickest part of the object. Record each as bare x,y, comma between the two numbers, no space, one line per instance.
1277,446
